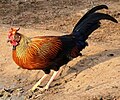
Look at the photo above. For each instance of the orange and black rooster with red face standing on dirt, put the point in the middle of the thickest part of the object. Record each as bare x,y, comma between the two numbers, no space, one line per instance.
51,52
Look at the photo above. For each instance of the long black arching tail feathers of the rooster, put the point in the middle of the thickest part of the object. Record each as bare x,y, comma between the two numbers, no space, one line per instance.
90,22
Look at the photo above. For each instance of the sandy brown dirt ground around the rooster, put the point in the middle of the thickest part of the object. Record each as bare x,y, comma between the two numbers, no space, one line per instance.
94,76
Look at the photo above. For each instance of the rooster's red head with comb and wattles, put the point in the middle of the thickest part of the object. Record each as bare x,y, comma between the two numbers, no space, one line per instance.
14,37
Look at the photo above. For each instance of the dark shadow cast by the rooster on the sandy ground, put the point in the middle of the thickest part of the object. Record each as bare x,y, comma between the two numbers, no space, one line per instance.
91,61
